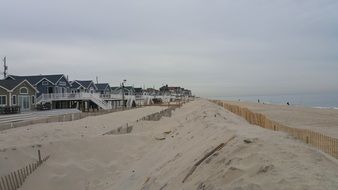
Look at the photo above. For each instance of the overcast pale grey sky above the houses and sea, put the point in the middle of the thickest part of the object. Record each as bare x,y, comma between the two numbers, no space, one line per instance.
213,47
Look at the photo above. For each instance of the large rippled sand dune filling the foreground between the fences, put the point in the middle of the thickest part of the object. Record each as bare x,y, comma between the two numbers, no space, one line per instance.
160,154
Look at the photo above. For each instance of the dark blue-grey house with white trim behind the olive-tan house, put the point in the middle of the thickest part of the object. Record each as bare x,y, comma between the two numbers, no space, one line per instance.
46,84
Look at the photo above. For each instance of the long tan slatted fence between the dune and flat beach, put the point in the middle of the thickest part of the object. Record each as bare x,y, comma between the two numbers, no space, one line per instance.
322,142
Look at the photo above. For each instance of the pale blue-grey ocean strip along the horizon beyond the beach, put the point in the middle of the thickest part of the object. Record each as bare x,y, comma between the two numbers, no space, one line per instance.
318,100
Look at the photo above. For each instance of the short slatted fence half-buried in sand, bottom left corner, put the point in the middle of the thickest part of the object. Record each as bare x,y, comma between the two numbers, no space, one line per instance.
14,180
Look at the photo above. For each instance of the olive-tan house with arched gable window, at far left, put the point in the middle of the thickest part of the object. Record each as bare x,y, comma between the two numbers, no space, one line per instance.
17,92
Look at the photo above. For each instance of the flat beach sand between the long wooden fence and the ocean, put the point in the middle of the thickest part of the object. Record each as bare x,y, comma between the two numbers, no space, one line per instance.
322,120
